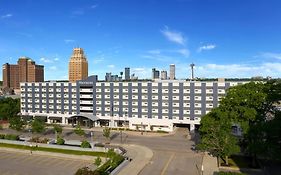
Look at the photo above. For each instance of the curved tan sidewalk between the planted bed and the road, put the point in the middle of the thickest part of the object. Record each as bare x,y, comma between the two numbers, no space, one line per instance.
140,156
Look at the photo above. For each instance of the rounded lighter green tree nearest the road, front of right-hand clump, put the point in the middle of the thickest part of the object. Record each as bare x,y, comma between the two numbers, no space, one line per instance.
216,136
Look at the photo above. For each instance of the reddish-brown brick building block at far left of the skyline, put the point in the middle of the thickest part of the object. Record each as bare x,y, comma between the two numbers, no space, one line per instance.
25,71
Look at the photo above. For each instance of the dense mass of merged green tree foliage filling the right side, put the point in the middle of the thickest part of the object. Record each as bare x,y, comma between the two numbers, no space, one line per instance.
255,108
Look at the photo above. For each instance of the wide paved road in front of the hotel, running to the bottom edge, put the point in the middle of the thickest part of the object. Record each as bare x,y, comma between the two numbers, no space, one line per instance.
172,154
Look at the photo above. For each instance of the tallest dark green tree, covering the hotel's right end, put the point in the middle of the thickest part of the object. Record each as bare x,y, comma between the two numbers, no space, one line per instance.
245,105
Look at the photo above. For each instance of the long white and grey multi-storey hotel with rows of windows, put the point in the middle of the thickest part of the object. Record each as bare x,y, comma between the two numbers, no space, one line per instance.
138,105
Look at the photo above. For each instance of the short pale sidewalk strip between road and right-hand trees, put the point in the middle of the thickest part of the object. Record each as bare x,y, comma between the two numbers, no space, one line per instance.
209,165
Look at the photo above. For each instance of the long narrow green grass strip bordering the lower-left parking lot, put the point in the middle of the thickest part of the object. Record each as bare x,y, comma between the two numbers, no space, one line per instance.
54,150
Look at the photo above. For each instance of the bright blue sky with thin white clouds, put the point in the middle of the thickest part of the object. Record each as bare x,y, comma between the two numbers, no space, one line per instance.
224,38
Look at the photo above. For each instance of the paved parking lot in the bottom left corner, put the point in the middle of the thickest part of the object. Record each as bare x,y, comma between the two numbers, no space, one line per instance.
17,163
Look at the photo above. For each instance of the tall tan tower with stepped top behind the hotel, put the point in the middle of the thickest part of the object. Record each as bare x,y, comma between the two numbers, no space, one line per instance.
78,65
